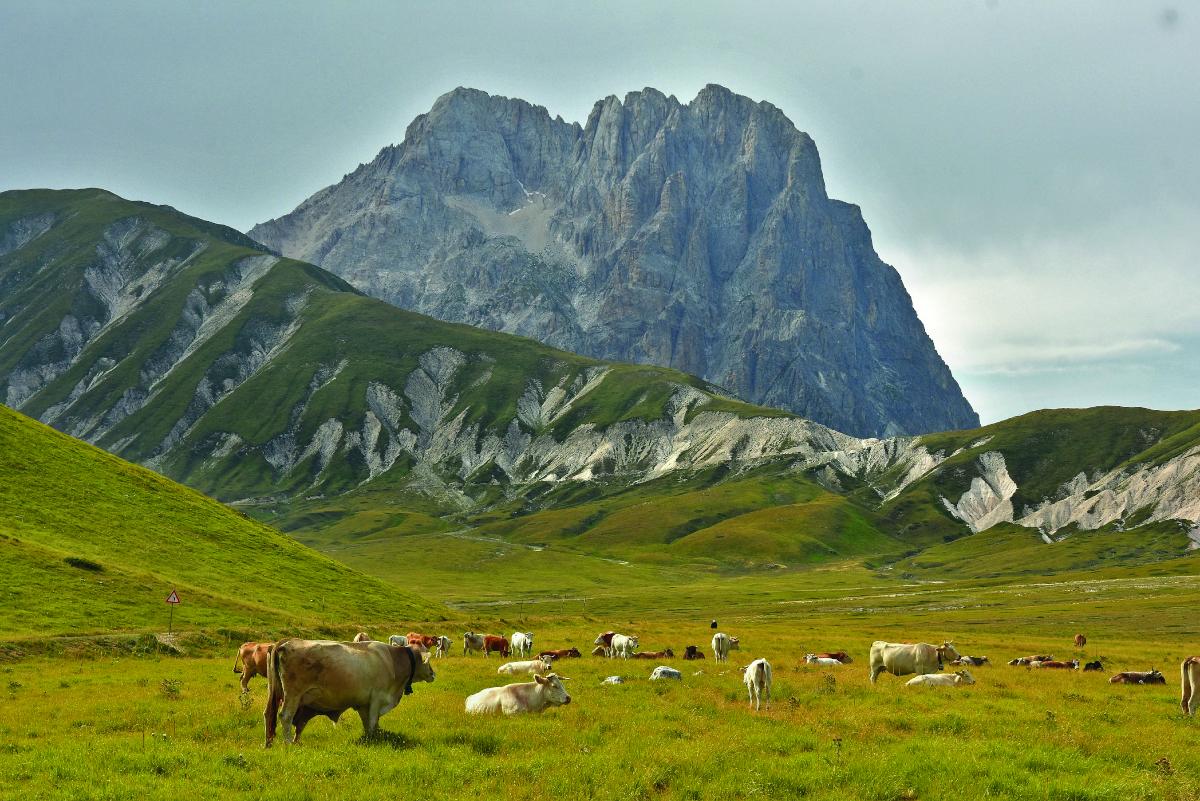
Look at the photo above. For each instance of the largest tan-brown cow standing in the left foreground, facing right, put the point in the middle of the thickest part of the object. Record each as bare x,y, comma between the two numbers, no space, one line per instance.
311,678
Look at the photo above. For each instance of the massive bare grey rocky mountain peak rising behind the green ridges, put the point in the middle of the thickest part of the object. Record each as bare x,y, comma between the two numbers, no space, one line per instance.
698,237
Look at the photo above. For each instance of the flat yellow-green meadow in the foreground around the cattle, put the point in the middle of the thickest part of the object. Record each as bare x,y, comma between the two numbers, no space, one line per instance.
91,728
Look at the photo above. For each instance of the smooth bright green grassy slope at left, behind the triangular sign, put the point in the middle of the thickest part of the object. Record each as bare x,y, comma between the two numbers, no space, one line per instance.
92,544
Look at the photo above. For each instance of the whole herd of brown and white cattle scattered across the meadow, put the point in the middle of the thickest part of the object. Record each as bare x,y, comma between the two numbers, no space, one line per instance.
325,678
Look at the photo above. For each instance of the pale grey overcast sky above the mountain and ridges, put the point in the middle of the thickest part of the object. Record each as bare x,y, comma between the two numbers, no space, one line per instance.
1031,168
